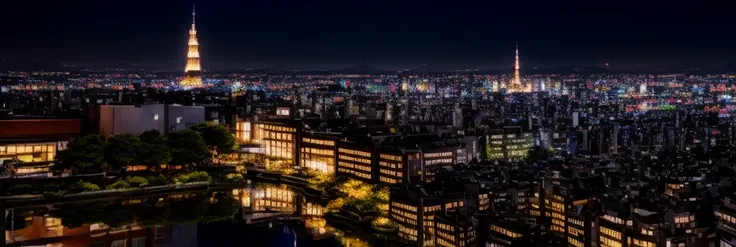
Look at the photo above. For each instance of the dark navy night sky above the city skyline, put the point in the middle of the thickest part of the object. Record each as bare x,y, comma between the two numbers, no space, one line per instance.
390,34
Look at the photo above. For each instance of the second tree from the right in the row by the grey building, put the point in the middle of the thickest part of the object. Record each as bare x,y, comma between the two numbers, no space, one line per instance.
187,147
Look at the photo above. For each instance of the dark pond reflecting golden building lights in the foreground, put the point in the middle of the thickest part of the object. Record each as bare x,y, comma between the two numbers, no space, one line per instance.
257,215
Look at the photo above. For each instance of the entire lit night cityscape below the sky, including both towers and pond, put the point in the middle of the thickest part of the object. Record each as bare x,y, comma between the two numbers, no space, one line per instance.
367,157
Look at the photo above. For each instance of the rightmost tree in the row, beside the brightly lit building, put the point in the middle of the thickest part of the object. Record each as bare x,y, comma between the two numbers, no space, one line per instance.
217,138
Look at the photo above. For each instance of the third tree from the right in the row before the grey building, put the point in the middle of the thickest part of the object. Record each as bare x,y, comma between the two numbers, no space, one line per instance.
154,150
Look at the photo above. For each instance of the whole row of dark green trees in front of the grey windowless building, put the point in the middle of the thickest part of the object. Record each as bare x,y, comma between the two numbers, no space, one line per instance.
192,146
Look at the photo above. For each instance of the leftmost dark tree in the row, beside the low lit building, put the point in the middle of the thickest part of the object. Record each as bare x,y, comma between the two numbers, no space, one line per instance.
83,154
